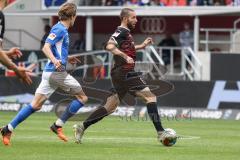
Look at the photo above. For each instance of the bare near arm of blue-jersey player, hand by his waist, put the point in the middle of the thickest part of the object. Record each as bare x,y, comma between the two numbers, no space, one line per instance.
48,52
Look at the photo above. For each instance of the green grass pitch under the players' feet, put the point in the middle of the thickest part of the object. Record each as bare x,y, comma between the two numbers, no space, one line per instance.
116,139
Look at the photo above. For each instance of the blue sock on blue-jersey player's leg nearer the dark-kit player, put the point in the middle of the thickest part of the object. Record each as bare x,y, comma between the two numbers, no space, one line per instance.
71,110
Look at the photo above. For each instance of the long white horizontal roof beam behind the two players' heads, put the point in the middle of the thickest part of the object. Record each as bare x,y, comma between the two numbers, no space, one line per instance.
141,11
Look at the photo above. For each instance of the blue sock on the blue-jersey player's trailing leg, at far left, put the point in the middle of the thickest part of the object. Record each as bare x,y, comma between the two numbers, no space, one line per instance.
21,116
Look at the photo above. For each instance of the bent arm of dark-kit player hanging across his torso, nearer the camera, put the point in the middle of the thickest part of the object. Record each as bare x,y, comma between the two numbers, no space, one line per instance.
111,47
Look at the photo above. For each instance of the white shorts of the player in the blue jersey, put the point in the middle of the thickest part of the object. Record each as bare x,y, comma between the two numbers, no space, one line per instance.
54,80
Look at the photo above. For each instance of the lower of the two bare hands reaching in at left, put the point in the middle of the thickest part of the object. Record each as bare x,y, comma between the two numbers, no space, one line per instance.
23,74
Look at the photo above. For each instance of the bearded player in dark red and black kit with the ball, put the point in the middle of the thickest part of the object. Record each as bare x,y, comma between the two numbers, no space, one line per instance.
124,78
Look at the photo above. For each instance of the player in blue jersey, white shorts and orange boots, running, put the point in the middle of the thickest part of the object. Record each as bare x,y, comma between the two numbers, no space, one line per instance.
54,76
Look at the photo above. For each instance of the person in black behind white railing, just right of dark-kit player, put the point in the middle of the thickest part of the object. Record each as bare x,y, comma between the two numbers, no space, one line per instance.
168,41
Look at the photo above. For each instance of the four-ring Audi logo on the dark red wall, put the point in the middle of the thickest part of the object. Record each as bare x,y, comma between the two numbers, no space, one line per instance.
153,25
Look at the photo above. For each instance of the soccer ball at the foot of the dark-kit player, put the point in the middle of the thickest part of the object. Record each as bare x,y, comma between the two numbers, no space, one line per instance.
169,137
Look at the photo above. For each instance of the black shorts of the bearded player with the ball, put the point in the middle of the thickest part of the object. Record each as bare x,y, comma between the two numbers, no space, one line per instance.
126,82
